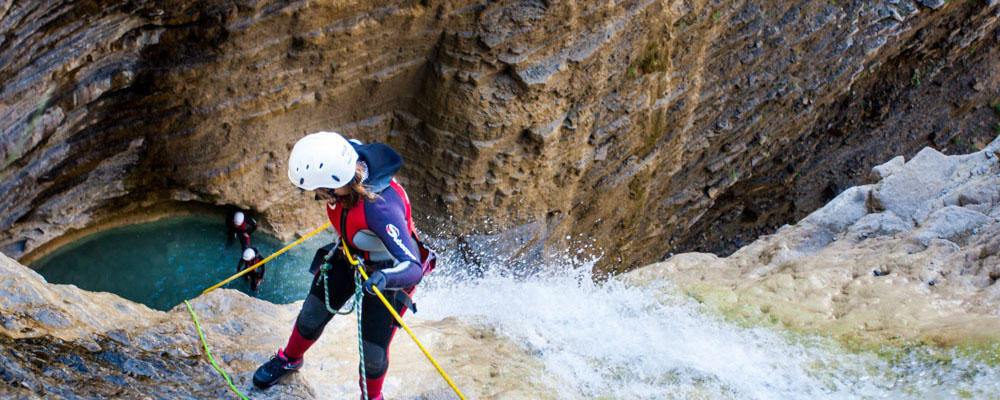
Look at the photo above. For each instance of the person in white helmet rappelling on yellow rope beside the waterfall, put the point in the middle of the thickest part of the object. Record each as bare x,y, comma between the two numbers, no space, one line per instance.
371,212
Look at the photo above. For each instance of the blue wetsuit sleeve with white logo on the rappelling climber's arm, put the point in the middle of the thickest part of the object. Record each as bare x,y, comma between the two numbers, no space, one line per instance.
385,216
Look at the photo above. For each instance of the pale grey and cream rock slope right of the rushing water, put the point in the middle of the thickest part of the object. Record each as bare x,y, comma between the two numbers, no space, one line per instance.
904,258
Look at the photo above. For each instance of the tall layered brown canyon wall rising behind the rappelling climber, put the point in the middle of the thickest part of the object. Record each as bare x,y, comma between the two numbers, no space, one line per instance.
640,126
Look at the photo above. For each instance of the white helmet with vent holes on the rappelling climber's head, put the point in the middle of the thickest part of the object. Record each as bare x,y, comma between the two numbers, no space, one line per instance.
322,160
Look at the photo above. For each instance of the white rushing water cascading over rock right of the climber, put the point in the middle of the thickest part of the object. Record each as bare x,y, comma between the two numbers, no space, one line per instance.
612,340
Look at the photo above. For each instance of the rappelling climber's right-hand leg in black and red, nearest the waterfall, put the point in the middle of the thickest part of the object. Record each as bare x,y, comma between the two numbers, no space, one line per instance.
377,330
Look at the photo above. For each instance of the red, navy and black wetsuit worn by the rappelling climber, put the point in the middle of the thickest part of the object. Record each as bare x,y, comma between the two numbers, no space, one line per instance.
382,232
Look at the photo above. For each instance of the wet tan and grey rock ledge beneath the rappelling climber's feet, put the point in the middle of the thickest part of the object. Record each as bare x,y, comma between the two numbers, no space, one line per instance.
62,342
